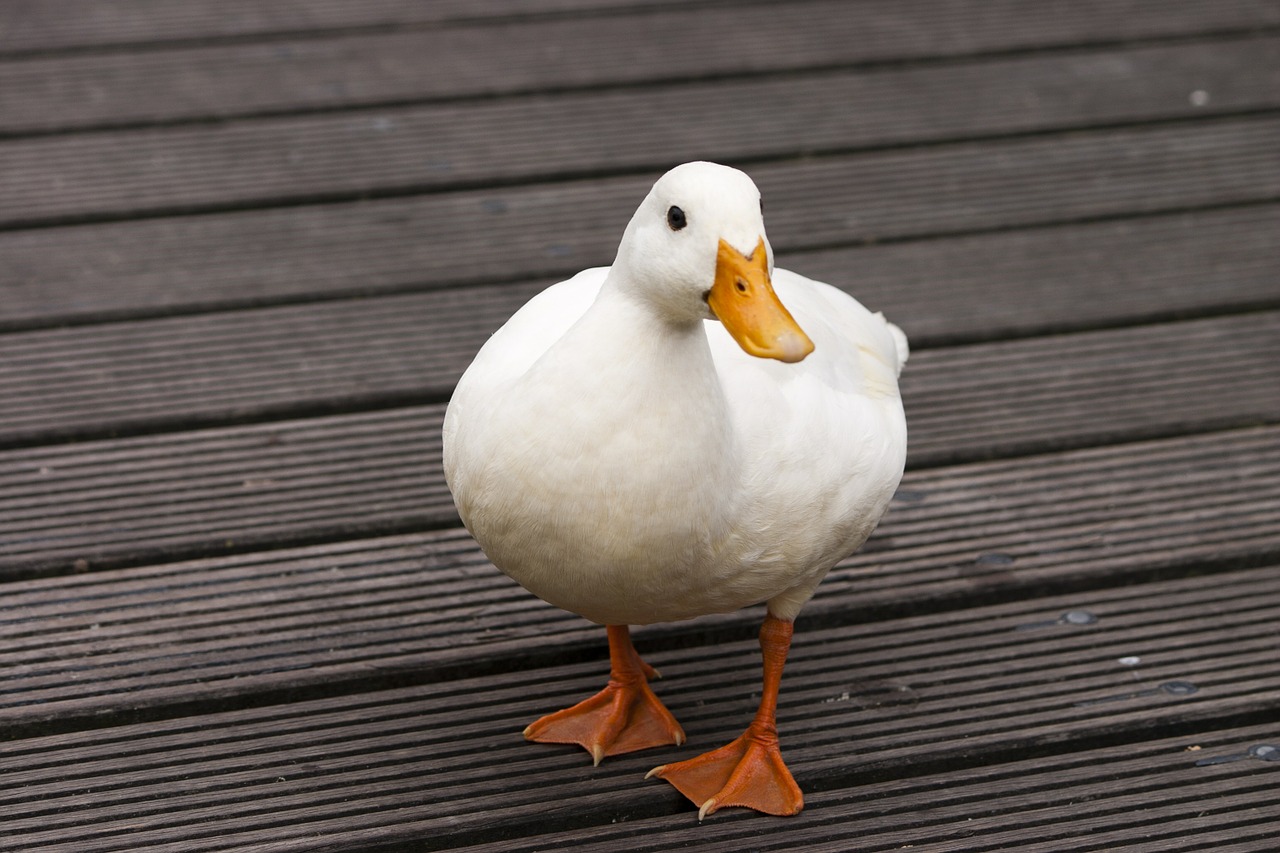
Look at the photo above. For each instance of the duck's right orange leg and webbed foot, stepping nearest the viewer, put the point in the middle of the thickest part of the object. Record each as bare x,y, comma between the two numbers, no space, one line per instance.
749,772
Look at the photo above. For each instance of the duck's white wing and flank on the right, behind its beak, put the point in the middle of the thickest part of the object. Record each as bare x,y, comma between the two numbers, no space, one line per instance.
822,441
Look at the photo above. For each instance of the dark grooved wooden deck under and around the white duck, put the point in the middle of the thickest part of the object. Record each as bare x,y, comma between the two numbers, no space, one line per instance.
248,248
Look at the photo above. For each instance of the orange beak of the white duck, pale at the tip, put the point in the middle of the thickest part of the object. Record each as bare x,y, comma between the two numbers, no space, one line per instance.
743,299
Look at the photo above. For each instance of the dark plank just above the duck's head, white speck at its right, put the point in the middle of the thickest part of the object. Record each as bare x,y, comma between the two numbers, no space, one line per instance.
383,152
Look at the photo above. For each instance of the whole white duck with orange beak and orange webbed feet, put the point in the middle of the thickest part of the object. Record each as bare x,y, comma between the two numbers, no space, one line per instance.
628,458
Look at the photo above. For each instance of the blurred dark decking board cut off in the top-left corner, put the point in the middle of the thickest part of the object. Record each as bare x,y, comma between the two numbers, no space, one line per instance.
60,25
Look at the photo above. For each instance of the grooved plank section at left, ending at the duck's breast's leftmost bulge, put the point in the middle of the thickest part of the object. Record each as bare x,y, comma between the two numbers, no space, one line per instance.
235,489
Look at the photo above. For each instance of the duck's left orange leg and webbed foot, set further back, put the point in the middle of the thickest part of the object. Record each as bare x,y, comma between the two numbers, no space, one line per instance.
623,718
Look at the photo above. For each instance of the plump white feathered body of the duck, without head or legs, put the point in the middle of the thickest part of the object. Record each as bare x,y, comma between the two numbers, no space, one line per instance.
634,475
